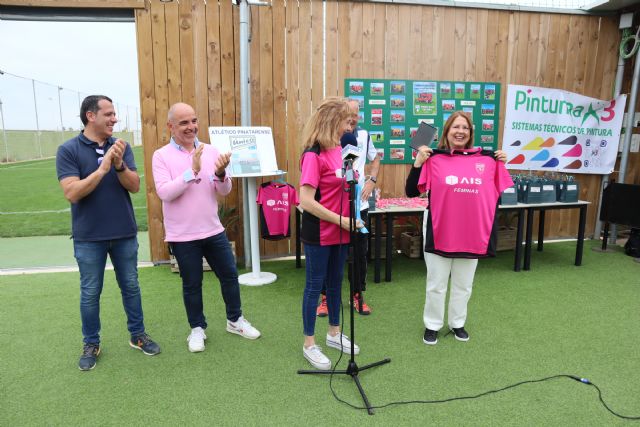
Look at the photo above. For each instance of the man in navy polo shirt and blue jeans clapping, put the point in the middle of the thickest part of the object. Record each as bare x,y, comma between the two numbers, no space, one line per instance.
97,172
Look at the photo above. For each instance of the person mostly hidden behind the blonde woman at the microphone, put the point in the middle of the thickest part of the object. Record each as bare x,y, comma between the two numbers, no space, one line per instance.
367,185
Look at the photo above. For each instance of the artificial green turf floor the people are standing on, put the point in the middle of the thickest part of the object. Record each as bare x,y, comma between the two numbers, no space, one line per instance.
554,319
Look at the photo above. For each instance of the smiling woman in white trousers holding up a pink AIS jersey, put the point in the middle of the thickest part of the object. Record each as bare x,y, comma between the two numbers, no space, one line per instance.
463,184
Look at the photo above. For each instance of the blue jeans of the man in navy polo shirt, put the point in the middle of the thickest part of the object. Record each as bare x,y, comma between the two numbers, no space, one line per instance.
92,258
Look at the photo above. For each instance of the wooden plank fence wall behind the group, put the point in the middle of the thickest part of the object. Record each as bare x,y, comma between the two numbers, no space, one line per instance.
189,52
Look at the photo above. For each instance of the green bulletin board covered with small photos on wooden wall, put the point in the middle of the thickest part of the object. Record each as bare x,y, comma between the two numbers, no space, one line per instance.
391,111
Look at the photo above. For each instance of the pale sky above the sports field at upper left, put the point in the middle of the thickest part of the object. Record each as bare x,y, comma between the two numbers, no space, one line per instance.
90,58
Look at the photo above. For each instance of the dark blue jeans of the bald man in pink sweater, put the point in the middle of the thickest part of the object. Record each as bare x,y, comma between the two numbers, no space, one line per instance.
217,251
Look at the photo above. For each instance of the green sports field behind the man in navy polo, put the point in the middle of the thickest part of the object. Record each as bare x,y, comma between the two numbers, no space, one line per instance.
32,203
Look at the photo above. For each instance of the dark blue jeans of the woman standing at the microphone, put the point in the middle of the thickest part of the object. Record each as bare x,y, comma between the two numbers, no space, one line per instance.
324,265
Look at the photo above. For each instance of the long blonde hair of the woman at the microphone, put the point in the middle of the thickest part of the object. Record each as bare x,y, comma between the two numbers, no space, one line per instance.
323,127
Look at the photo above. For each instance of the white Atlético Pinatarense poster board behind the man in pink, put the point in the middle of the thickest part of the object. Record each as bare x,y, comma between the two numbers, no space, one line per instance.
252,149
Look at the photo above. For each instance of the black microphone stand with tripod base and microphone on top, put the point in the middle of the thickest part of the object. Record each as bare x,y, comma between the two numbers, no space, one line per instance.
352,368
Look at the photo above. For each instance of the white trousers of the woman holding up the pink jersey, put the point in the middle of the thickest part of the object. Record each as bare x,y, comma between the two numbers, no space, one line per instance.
439,269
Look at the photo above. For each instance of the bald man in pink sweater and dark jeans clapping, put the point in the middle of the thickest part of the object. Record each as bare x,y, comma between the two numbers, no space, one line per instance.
189,175
